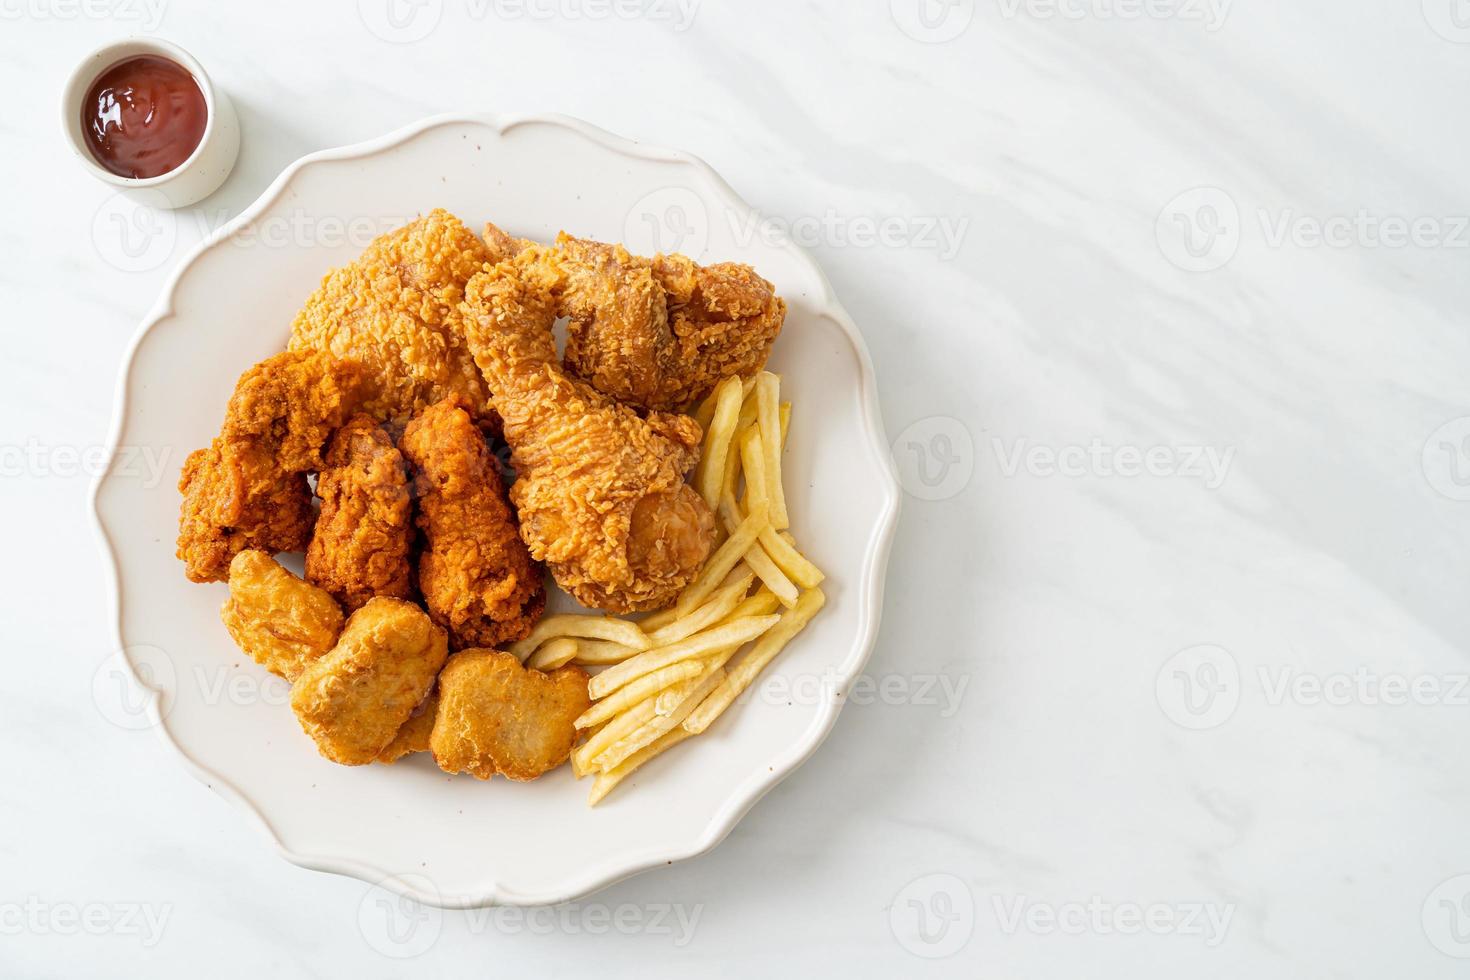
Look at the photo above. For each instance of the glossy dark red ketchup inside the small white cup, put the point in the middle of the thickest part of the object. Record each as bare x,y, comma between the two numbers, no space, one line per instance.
143,117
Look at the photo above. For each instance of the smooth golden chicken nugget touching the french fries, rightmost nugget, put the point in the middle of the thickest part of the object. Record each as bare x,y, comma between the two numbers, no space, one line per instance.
496,716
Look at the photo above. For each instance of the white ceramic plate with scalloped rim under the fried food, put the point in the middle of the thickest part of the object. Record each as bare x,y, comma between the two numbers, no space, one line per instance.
455,841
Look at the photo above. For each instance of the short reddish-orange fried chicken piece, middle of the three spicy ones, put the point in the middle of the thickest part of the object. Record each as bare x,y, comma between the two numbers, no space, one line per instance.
365,531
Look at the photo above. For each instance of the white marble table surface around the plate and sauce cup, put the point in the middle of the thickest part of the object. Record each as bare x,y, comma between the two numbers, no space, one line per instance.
1168,303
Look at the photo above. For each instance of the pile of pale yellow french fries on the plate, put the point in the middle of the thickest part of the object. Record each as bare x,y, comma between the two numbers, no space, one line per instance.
671,675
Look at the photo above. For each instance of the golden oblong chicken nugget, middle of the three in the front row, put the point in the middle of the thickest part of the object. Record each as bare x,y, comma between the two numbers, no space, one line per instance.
356,699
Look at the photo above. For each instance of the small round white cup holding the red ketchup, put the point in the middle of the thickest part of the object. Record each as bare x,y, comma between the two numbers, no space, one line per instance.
212,161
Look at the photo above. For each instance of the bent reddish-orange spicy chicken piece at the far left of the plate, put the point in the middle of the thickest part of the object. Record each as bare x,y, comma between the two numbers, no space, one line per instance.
249,489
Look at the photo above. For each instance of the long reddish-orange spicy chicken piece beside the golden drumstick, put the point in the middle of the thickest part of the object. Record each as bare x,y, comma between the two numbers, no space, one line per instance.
476,574
